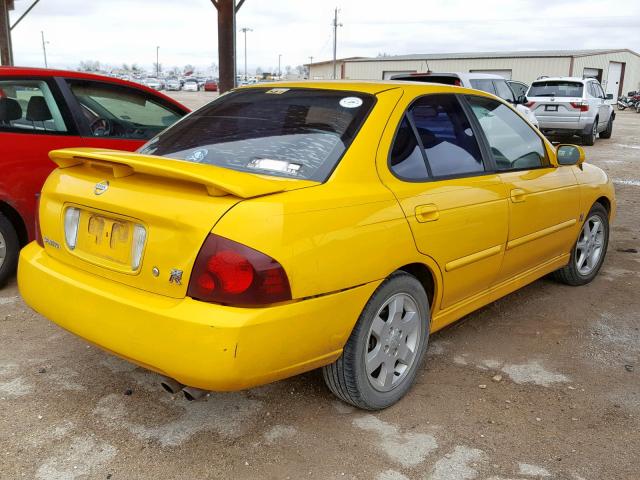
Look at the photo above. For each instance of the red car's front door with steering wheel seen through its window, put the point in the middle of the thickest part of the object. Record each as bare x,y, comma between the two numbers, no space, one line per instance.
117,116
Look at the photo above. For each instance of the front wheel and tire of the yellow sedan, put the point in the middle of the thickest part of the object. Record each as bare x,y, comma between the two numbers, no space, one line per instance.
587,255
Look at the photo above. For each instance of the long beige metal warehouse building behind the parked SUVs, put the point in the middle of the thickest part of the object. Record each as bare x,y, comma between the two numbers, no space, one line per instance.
617,70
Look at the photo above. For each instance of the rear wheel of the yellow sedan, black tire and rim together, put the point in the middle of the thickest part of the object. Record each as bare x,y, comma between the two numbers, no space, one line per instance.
386,348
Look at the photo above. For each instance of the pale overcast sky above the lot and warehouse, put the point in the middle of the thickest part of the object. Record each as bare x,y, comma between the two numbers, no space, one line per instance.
128,31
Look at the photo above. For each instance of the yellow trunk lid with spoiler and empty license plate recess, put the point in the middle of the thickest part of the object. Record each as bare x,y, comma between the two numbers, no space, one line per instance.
140,220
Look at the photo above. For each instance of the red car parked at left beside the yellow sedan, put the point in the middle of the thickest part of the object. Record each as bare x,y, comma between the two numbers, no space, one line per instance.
42,110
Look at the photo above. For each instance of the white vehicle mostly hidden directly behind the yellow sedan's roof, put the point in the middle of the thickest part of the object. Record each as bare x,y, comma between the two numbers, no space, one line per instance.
486,82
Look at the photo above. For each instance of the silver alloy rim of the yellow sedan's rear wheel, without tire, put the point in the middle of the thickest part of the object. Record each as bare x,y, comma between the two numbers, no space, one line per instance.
393,342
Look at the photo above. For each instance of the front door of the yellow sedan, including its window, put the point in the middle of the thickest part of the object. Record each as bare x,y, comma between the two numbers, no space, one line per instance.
543,198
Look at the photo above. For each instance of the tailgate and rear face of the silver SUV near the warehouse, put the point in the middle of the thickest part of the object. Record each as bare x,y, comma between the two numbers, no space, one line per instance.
556,103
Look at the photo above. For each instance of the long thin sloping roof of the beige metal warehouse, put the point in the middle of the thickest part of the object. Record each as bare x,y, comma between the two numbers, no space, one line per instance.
510,54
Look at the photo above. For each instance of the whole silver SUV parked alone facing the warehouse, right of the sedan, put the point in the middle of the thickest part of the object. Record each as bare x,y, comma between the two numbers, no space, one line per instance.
572,106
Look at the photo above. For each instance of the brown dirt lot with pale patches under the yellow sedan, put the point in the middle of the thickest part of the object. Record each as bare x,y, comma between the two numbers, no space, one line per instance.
566,406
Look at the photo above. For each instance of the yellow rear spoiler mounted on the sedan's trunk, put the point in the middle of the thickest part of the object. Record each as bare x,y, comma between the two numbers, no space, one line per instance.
217,180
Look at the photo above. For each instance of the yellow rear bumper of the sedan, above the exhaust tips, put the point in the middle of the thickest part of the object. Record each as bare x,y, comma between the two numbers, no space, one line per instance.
208,346
